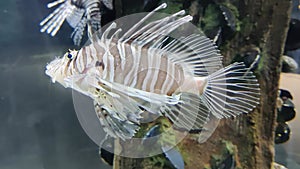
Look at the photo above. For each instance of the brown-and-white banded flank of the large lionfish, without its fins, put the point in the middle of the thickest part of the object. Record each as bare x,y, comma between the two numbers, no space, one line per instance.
155,74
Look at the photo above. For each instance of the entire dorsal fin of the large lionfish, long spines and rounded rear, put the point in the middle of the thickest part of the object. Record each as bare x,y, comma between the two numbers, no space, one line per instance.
196,53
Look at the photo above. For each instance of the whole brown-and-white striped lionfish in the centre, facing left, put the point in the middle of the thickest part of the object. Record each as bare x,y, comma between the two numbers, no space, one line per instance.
143,70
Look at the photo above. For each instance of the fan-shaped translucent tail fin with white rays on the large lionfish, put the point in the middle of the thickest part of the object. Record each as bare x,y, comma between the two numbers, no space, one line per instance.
231,91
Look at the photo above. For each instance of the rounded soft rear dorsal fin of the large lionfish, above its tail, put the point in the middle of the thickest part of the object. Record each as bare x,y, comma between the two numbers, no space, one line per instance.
197,52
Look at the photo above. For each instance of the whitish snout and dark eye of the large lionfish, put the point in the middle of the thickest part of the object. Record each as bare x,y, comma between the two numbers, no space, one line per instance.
59,68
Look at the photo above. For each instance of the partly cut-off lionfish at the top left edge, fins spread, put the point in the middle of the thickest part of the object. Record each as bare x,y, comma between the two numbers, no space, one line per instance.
78,13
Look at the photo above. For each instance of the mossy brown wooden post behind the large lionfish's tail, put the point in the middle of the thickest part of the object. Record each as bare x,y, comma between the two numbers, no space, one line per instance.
249,139
